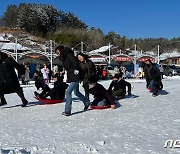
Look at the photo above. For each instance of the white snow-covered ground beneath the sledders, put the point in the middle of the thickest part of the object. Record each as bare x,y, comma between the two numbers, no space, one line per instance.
140,125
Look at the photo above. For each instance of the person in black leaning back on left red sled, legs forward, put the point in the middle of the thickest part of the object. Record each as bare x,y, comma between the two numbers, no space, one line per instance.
55,93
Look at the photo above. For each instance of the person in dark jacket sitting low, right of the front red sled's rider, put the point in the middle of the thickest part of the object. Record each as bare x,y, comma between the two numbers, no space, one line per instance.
118,87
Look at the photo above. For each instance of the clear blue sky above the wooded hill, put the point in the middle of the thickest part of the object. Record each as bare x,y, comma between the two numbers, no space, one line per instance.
130,18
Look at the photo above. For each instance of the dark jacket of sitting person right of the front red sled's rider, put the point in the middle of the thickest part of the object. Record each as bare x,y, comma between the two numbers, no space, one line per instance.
119,84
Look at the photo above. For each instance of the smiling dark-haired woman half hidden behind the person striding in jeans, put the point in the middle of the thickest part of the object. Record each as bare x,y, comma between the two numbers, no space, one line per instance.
88,70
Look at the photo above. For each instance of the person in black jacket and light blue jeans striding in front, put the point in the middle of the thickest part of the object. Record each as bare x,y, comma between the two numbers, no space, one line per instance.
74,76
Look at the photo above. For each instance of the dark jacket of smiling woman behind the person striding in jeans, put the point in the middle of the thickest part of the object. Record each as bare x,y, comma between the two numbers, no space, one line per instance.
88,70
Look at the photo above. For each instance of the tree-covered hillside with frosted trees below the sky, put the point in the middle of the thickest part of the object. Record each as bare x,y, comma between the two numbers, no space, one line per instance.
66,28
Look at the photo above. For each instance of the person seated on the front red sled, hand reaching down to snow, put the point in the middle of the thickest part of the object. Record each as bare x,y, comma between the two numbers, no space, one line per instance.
101,95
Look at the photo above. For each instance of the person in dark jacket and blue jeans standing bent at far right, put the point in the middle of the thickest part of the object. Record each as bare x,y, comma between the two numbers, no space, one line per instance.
153,78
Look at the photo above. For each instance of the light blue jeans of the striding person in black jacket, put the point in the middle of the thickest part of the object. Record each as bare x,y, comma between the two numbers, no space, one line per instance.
74,86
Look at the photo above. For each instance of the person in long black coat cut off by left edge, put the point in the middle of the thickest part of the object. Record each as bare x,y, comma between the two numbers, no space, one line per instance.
9,82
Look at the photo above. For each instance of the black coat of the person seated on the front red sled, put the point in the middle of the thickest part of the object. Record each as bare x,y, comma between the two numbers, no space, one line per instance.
101,93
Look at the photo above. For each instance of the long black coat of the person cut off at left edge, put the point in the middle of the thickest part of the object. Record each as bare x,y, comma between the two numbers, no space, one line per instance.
8,75
